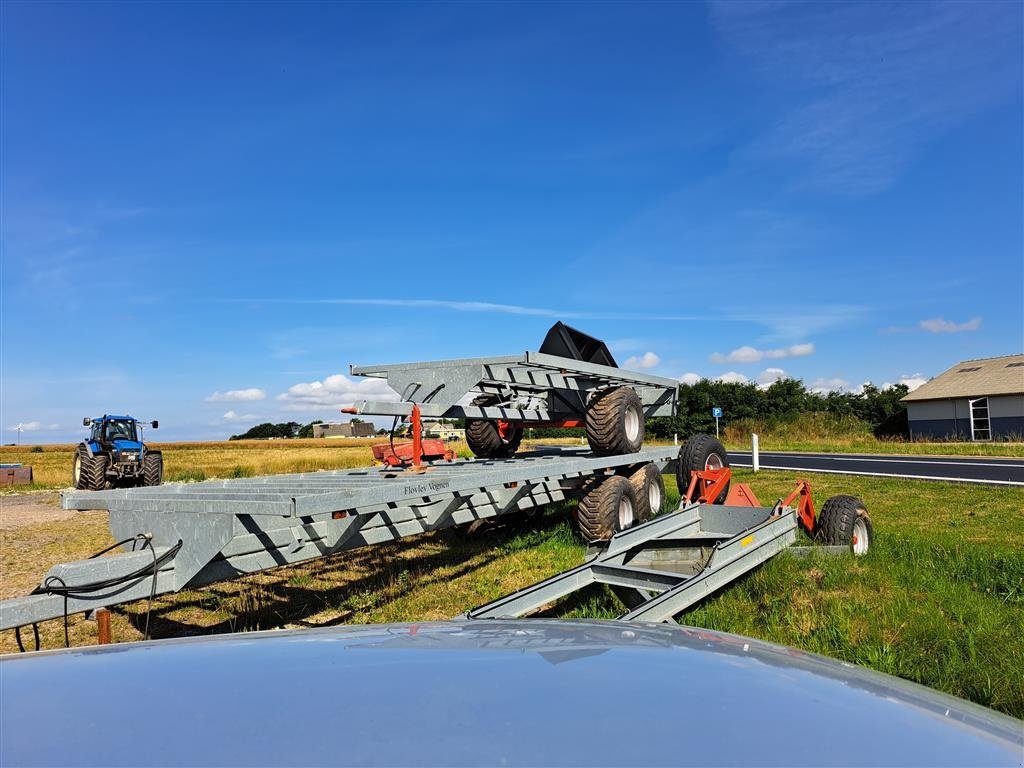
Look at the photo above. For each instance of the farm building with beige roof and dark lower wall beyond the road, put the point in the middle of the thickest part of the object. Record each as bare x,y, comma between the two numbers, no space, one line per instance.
973,401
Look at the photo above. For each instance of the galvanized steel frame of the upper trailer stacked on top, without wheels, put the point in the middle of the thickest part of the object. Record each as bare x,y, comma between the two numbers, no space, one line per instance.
530,388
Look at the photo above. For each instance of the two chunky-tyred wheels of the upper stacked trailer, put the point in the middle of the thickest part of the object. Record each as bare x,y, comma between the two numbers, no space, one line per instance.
615,422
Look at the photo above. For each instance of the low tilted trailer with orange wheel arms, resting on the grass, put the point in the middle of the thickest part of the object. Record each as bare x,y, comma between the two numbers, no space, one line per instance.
664,567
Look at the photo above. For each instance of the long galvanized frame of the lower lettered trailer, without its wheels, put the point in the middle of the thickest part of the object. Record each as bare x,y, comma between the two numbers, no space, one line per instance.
190,535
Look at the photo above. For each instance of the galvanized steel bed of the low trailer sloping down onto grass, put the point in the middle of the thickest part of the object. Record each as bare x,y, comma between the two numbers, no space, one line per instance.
666,566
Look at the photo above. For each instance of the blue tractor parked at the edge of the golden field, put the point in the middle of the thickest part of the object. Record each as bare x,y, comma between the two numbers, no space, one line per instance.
115,457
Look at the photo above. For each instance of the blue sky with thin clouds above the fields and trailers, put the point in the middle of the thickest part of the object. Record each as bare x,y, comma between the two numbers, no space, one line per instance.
210,211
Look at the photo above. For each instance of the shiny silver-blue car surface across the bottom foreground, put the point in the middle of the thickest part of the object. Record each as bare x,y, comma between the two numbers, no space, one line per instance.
485,693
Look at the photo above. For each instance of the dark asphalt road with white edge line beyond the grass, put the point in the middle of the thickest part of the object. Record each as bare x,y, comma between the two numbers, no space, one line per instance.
964,470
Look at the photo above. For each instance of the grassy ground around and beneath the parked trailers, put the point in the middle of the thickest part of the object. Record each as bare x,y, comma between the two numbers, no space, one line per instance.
940,600
